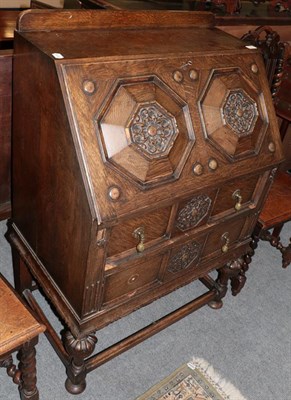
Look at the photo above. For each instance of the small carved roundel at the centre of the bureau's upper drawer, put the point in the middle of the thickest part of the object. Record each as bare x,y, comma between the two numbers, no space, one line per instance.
193,212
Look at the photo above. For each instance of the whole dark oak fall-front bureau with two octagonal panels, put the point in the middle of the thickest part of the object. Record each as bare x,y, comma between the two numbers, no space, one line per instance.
144,144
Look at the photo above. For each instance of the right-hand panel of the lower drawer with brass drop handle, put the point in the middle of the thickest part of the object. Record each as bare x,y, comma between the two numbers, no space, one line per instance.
223,237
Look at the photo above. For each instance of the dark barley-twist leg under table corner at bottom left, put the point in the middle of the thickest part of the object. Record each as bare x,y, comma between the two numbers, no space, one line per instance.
27,367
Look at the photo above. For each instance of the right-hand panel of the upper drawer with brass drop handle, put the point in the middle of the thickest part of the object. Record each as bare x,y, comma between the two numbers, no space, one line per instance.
236,195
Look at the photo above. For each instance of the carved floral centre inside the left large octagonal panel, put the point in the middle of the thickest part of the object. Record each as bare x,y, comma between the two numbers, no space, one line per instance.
153,129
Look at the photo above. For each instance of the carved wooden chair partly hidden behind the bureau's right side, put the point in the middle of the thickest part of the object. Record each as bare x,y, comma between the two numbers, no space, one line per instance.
277,209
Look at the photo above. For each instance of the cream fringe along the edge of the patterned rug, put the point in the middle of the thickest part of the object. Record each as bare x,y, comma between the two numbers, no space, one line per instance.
223,387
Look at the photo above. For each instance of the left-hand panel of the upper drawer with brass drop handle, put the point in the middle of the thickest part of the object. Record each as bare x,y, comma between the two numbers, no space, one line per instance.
127,234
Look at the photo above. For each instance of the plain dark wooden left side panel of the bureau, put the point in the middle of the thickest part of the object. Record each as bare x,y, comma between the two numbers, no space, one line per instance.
49,188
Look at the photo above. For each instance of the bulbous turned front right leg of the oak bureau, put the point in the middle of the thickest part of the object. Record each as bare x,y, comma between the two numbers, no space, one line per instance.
230,271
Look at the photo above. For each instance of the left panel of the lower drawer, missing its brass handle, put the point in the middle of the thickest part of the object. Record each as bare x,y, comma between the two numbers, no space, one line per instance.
126,281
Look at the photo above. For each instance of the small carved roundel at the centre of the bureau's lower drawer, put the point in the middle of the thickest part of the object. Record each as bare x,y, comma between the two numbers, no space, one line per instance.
183,258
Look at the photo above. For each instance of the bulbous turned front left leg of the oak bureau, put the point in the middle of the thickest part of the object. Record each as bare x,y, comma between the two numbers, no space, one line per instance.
79,349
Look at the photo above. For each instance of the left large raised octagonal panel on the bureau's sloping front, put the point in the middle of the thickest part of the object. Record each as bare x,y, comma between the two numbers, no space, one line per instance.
145,131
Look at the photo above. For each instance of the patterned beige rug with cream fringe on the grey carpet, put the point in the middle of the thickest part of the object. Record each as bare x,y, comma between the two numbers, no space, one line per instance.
196,380
